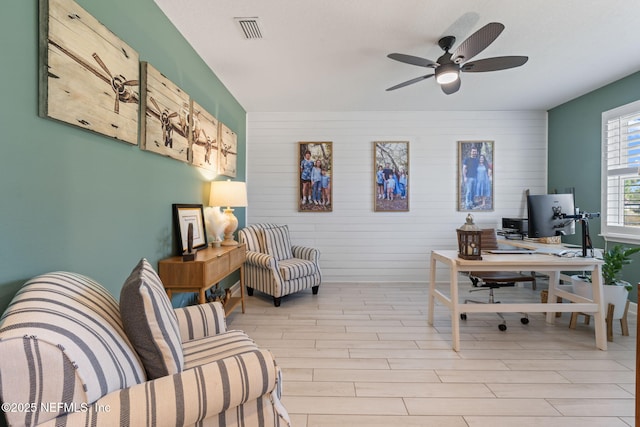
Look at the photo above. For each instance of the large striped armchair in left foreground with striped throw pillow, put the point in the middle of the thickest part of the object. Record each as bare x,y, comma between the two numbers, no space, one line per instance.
68,358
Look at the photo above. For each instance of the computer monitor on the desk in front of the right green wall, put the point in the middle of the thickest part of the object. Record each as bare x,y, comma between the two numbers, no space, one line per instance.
545,213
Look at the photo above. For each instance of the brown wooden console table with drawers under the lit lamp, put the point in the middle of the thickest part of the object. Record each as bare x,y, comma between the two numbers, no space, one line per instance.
210,266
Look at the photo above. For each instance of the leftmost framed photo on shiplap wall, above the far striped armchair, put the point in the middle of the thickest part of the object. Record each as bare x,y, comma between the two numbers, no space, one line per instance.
315,177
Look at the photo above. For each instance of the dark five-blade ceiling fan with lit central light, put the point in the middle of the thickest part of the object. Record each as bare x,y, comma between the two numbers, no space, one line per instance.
448,67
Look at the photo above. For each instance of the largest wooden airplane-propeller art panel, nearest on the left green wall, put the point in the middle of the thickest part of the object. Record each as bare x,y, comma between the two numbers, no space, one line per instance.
88,76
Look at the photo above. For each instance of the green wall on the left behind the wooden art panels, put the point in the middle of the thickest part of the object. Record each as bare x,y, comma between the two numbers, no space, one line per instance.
78,201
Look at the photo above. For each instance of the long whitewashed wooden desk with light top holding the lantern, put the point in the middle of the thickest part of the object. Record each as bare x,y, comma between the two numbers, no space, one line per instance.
550,264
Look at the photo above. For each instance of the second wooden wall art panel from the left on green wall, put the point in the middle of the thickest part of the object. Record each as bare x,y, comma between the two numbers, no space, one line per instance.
165,129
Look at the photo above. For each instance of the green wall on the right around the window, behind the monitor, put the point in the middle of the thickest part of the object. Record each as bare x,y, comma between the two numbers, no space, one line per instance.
575,140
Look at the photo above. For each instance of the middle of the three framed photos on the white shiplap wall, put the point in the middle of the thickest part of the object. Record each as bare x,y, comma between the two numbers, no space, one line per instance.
391,176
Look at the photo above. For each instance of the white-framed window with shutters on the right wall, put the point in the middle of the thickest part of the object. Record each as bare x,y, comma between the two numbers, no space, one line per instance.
621,173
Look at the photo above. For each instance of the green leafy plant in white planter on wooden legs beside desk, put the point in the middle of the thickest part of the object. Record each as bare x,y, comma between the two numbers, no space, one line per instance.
616,290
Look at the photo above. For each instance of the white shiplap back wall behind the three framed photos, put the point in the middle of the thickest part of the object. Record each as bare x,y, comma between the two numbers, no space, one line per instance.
358,244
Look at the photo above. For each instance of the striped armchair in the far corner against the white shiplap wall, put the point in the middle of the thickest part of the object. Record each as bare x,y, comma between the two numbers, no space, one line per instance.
274,266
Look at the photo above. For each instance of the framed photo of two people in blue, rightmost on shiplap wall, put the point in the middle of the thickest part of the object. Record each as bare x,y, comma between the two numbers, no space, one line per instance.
475,176
